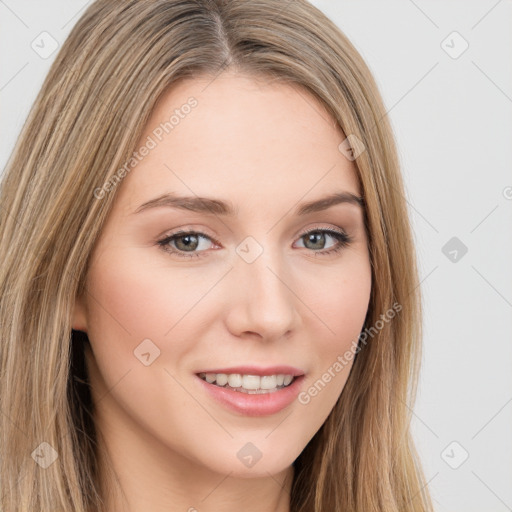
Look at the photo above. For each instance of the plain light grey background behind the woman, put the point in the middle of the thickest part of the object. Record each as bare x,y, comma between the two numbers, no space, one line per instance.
452,119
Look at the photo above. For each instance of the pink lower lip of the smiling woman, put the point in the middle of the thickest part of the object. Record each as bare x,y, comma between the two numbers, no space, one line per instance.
256,404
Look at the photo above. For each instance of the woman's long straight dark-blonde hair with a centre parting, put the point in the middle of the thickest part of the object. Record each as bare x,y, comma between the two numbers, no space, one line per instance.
116,63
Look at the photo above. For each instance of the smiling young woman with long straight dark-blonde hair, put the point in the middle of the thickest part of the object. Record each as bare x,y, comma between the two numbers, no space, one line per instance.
209,290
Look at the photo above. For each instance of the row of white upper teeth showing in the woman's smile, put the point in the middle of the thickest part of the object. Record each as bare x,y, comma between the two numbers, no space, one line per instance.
253,384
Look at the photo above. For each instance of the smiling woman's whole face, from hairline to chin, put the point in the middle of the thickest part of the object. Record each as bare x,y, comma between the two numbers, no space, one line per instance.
236,296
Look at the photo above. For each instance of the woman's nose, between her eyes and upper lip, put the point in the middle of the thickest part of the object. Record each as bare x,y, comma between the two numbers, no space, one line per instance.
262,301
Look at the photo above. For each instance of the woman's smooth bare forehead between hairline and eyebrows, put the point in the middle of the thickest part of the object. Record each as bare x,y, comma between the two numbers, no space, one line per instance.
242,139
